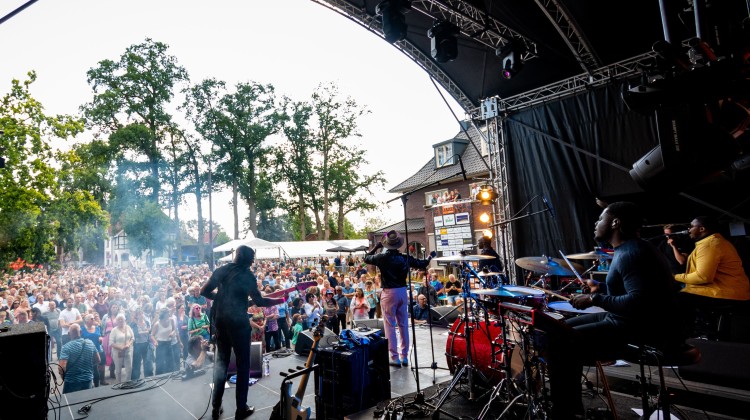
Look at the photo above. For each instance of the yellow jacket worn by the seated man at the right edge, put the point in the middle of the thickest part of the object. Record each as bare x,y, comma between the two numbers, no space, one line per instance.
714,269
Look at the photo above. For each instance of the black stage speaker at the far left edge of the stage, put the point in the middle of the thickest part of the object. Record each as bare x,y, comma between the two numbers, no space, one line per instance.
23,377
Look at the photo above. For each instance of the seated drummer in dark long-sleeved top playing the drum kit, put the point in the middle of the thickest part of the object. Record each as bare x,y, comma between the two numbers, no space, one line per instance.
639,303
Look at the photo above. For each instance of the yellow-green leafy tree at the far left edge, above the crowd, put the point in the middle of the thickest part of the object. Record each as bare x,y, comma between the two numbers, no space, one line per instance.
28,183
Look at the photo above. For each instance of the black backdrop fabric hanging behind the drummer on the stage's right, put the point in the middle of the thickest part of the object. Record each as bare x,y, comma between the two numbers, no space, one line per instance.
580,148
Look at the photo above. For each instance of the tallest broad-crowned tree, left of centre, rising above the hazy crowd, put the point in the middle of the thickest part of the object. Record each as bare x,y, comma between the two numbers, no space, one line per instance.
131,97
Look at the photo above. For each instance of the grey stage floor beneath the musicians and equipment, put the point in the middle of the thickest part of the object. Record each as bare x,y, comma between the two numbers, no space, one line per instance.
188,399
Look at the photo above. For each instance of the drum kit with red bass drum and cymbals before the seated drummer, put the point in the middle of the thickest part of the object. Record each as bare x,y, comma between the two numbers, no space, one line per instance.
493,345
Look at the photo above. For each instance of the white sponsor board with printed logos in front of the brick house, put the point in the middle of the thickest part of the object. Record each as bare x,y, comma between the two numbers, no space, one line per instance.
453,232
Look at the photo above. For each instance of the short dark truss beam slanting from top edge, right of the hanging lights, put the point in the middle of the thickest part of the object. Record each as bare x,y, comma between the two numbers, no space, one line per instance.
571,33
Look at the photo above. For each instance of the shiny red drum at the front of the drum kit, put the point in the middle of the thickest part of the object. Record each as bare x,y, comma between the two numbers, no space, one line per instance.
485,341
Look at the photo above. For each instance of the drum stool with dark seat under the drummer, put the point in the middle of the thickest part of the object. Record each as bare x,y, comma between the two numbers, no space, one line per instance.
649,356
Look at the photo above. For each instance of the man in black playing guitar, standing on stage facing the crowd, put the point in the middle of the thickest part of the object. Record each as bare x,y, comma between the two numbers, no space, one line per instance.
235,282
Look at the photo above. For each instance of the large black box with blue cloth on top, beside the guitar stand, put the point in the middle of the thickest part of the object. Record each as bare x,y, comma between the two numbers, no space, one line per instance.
351,380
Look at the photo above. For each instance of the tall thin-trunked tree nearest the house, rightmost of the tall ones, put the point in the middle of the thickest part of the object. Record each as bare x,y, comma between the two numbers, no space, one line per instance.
336,122
